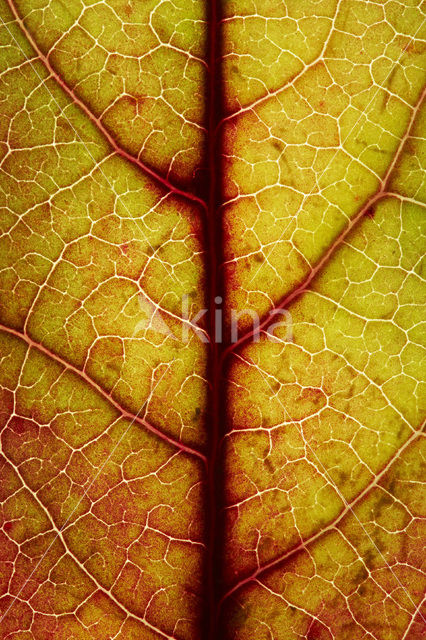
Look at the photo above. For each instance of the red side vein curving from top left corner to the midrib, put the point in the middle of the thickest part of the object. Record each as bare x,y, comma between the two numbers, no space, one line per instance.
96,121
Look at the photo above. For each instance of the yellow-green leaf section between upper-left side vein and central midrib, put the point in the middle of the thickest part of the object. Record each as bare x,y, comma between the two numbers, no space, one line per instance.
138,66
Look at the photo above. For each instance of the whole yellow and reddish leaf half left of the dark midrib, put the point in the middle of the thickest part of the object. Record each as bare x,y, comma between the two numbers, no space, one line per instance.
102,400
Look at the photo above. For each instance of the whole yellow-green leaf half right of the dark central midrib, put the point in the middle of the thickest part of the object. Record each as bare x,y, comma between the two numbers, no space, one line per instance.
324,218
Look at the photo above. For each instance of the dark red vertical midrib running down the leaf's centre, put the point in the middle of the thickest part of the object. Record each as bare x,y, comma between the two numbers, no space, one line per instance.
215,409
